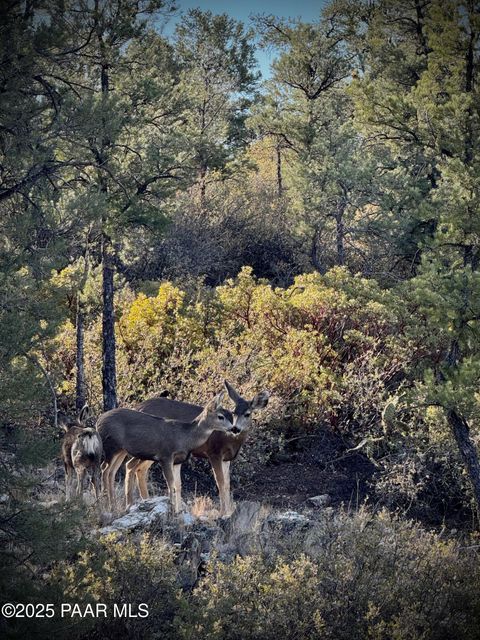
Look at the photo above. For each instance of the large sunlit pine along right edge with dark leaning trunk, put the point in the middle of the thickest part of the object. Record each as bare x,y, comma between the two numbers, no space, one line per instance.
419,95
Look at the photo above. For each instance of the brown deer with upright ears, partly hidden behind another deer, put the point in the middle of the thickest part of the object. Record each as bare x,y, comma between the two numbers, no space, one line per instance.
220,448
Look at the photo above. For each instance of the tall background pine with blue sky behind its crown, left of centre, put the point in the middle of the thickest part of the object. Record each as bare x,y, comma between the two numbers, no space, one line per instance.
217,62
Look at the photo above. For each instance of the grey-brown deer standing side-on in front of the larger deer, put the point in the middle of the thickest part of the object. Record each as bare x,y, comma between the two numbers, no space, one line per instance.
154,439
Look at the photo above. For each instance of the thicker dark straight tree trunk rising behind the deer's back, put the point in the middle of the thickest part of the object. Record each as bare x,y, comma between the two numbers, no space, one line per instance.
109,376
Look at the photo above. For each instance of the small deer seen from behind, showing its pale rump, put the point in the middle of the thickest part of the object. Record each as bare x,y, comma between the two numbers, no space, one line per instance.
81,452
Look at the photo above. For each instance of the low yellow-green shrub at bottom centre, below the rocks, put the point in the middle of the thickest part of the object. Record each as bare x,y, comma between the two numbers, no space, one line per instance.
247,600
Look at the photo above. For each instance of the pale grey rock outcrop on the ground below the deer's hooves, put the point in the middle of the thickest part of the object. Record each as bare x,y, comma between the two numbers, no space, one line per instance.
252,528
